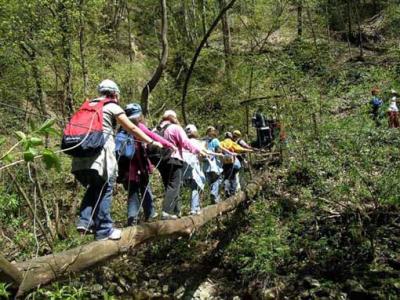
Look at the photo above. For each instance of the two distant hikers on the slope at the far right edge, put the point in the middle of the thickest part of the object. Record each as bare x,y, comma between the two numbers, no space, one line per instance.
377,110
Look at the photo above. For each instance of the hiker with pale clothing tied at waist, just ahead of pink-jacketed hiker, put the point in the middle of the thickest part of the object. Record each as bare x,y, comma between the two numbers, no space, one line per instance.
193,174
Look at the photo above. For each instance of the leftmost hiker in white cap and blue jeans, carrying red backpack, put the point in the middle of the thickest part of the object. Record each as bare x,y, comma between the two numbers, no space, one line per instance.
98,172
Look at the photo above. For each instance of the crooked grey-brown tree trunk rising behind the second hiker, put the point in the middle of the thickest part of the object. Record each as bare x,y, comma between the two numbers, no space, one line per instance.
151,84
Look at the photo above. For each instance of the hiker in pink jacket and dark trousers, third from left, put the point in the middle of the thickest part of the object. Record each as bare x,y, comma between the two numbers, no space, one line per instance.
171,169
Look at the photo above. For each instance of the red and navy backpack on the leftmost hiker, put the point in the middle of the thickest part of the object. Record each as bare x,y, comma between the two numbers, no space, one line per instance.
83,136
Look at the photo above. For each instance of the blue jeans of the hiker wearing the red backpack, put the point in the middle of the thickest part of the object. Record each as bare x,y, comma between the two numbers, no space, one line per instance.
96,204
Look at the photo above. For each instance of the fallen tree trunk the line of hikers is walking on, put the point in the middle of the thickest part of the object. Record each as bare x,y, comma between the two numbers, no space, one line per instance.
44,269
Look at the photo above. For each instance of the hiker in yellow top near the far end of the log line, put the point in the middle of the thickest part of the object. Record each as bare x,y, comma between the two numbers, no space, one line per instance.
231,164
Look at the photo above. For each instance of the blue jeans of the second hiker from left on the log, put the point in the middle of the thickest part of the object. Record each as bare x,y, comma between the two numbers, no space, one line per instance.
138,194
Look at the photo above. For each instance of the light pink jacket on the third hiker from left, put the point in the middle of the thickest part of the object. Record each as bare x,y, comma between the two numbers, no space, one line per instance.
177,136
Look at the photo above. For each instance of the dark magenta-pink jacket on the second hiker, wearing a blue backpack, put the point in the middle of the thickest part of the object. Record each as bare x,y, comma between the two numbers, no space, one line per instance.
140,165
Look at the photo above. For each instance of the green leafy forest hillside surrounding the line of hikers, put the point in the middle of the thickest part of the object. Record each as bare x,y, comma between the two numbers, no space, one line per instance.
328,224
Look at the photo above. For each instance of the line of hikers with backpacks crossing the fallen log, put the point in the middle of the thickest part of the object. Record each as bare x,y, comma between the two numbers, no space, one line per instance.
180,156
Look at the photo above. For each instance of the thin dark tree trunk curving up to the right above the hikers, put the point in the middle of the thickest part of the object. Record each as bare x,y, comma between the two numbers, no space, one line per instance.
196,56
